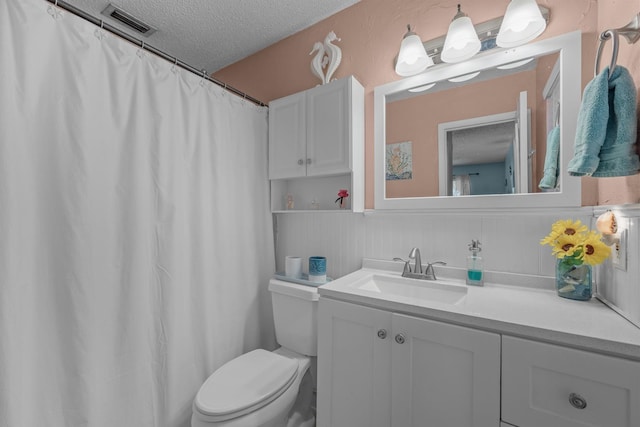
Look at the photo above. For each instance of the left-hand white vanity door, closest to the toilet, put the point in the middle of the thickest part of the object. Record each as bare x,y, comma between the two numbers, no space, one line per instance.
353,365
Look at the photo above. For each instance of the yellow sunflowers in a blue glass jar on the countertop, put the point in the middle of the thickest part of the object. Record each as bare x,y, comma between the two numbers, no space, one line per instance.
577,249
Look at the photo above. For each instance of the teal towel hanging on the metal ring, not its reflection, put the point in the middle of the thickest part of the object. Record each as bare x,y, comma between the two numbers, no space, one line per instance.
606,134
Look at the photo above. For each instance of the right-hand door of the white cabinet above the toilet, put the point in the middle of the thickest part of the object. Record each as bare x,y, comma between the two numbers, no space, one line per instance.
329,128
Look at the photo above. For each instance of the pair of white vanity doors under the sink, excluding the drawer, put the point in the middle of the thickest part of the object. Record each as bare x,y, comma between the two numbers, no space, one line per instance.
377,368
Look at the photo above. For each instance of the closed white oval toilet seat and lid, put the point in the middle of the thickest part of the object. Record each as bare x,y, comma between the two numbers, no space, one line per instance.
245,384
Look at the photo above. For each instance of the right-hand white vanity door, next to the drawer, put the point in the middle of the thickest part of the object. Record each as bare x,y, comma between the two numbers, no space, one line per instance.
444,375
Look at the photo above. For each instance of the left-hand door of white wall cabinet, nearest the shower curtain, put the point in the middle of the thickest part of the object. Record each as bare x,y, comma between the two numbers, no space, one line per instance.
287,137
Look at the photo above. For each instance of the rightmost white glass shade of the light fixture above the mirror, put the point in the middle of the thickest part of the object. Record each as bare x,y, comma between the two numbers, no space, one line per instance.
522,23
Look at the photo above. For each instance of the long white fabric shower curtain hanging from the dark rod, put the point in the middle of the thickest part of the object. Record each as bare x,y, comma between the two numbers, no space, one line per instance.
136,240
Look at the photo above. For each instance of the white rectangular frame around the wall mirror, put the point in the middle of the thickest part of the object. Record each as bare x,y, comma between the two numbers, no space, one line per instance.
570,77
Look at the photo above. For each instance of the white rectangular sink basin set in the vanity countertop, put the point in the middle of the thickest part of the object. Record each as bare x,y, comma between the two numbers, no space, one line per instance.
413,289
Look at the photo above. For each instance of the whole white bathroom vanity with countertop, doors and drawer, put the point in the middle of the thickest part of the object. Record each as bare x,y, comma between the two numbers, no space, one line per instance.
404,352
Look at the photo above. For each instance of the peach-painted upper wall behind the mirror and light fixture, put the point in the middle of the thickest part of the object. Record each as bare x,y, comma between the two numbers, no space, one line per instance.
371,32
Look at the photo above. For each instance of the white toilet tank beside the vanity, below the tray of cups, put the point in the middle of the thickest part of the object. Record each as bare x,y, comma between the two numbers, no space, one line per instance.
295,312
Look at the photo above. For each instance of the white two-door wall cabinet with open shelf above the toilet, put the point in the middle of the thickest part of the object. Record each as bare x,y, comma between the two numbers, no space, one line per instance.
316,146
